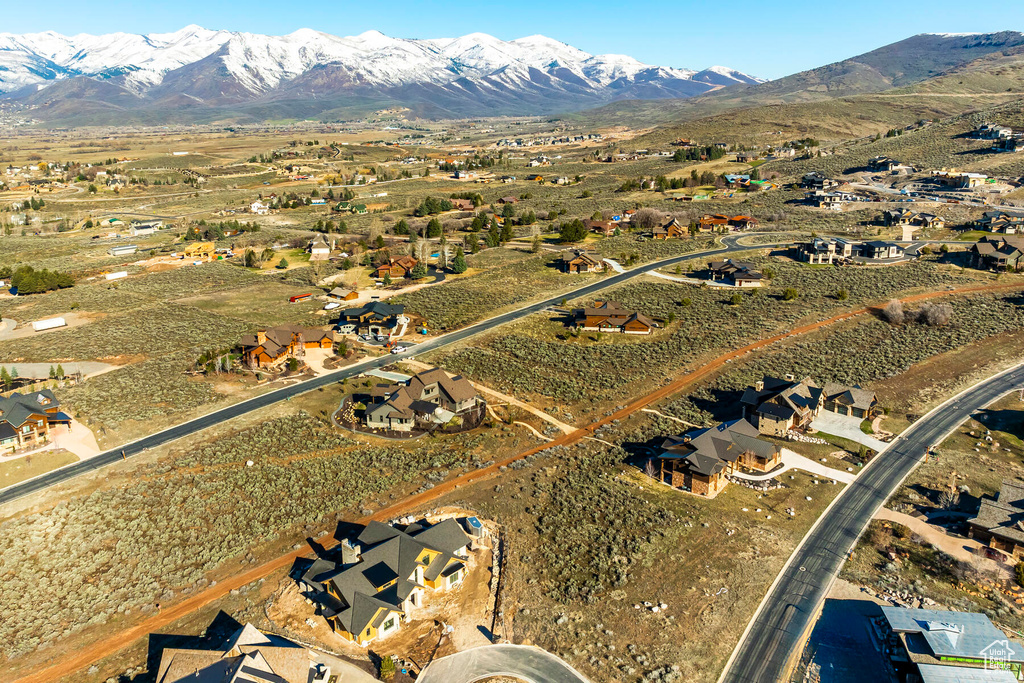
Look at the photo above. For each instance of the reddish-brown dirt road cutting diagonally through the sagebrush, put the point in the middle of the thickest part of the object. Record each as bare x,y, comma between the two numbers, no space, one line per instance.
89,656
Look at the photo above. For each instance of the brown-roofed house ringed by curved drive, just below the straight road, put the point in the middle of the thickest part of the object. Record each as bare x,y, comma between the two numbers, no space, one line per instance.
426,401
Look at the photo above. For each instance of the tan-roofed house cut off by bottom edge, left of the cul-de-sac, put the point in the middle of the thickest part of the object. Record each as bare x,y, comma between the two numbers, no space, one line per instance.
247,657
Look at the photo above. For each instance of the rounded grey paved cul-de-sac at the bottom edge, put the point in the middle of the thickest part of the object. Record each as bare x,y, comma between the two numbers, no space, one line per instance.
526,663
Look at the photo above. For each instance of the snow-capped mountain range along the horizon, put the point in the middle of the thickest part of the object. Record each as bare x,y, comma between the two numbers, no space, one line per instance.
199,68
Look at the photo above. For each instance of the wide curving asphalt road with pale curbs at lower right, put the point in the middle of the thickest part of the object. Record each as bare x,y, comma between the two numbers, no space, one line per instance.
777,634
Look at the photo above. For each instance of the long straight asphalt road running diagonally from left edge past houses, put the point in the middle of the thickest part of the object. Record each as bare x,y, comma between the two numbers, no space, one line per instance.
46,481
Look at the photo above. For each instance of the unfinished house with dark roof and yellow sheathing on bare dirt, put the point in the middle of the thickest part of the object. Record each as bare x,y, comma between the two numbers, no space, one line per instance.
386,574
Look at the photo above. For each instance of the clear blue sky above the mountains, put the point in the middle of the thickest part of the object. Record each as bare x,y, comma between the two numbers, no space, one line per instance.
767,39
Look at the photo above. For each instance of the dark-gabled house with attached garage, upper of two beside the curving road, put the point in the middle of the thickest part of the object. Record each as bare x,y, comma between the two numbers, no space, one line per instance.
779,406
